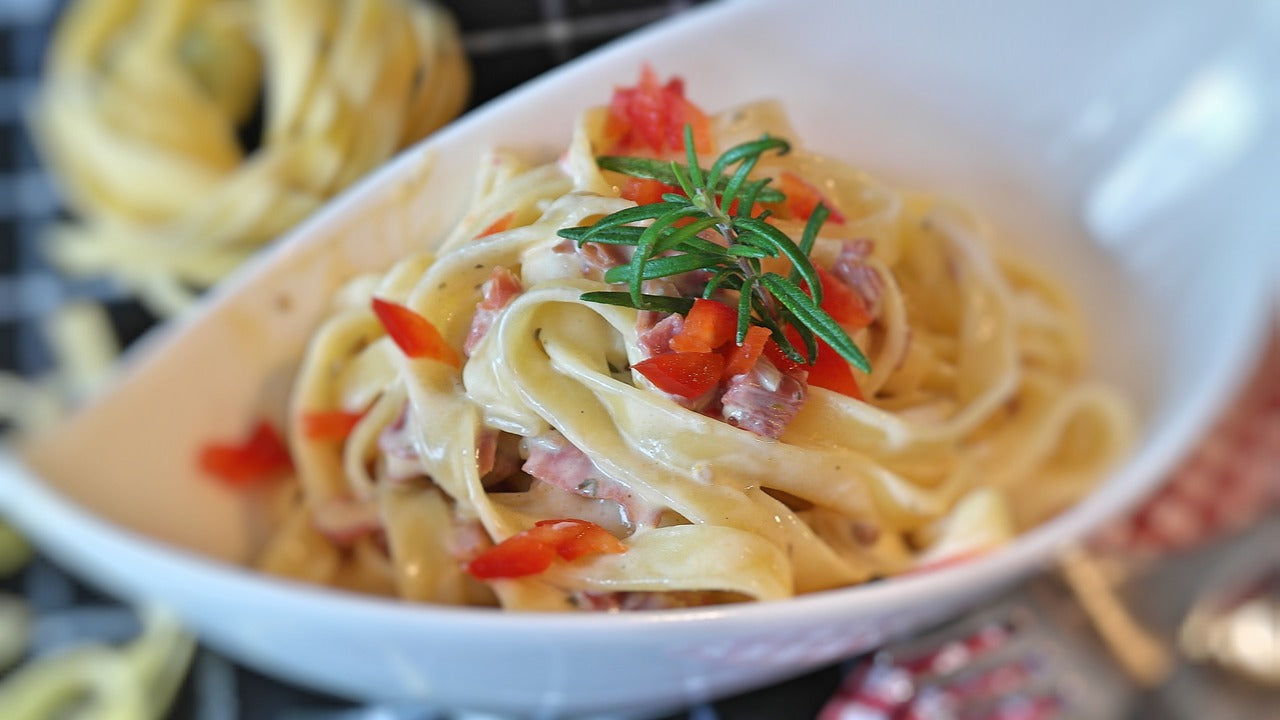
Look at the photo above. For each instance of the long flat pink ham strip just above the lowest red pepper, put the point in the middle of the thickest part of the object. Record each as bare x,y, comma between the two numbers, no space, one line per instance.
559,463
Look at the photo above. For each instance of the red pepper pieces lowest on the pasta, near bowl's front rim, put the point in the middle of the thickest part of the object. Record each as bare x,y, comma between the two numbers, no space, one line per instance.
534,550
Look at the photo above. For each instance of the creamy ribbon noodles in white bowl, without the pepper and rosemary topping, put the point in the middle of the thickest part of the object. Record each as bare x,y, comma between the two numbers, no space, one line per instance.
976,422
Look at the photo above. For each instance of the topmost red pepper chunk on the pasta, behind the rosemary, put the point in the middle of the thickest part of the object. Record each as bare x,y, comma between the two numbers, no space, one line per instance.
652,117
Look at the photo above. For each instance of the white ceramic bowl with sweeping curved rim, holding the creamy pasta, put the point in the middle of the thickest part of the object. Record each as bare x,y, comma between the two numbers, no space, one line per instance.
1122,144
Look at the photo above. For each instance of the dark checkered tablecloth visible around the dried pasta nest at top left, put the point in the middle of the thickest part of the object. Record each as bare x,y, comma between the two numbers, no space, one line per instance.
509,43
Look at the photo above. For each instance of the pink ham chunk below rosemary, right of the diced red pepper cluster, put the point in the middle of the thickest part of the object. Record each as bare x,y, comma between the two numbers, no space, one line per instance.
764,400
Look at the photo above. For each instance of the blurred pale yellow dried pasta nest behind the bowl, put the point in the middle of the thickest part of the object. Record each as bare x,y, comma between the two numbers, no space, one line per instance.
147,104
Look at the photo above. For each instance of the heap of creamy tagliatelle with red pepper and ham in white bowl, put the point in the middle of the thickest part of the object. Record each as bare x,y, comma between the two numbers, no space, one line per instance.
470,430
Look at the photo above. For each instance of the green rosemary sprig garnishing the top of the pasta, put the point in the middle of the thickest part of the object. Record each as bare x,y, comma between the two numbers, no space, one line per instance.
720,198
